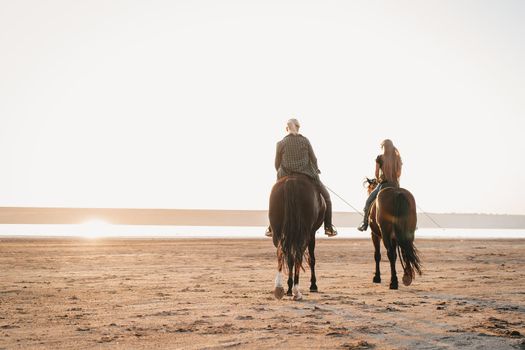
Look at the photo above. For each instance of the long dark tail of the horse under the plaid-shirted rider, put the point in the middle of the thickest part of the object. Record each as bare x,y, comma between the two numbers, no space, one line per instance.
294,231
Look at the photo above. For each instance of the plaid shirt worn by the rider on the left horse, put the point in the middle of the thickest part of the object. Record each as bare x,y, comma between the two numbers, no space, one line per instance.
295,155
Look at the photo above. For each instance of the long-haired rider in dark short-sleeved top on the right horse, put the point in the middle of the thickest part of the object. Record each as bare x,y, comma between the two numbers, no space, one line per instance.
387,173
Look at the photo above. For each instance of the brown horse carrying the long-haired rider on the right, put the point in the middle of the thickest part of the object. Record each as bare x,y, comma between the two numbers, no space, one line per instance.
393,218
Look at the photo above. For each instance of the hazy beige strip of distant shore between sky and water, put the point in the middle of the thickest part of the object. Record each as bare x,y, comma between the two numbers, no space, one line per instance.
232,218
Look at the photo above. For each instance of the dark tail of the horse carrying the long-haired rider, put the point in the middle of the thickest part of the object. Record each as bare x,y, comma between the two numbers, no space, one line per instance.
408,254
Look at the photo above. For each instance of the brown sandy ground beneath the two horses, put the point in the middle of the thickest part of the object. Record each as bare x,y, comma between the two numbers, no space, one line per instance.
214,294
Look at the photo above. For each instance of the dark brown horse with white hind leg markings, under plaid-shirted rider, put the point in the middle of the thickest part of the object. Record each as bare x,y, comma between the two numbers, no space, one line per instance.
296,212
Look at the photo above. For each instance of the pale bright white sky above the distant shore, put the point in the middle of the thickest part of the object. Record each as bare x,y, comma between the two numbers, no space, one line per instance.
179,104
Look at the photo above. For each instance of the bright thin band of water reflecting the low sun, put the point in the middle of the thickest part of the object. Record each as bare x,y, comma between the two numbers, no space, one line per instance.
99,229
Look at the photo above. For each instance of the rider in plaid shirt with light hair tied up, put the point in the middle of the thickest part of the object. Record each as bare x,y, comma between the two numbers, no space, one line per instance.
295,155
